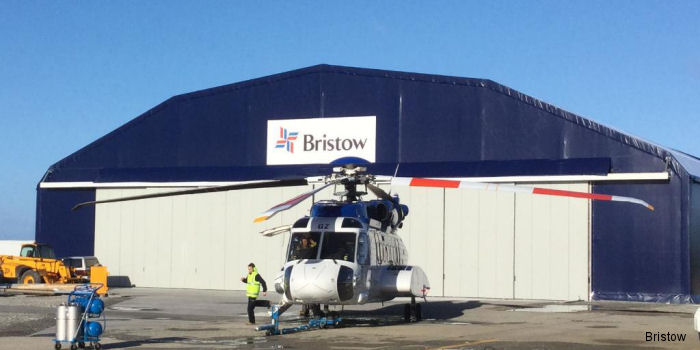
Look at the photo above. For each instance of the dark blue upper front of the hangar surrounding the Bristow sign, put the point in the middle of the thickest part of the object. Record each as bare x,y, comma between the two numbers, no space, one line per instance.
476,126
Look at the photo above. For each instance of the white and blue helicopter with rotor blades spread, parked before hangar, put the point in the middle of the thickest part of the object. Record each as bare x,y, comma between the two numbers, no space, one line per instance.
347,251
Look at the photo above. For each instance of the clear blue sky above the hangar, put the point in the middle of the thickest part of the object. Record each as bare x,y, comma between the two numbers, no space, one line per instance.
71,72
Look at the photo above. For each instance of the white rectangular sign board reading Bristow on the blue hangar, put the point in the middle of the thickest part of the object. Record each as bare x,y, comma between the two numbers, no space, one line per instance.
320,140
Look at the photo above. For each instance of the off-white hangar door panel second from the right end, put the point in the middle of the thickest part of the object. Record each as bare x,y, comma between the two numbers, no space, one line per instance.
478,243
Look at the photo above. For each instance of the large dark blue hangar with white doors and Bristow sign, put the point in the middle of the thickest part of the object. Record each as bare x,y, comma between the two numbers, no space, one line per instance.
470,243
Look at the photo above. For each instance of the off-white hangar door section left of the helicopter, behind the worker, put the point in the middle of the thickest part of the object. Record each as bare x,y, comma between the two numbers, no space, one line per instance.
202,241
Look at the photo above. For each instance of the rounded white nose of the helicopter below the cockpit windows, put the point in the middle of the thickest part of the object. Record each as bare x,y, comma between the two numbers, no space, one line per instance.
318,281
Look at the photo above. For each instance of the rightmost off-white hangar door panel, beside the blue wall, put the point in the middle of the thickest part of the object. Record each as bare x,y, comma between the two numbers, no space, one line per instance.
551,246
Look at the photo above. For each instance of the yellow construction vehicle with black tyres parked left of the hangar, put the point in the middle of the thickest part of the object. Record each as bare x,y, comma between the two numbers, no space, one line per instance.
36,263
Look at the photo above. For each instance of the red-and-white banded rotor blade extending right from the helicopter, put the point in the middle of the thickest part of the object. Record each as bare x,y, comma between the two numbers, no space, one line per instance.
420,182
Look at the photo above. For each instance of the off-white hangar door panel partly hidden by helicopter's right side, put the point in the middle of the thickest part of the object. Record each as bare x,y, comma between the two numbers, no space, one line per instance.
422,232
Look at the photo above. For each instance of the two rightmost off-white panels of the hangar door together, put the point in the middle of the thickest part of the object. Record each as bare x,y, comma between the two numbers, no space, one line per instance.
503,245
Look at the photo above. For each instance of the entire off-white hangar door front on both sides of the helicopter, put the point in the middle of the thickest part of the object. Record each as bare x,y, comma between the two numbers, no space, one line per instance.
485,244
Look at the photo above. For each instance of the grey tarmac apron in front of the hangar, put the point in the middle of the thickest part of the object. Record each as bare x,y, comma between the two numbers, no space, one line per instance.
150,318
